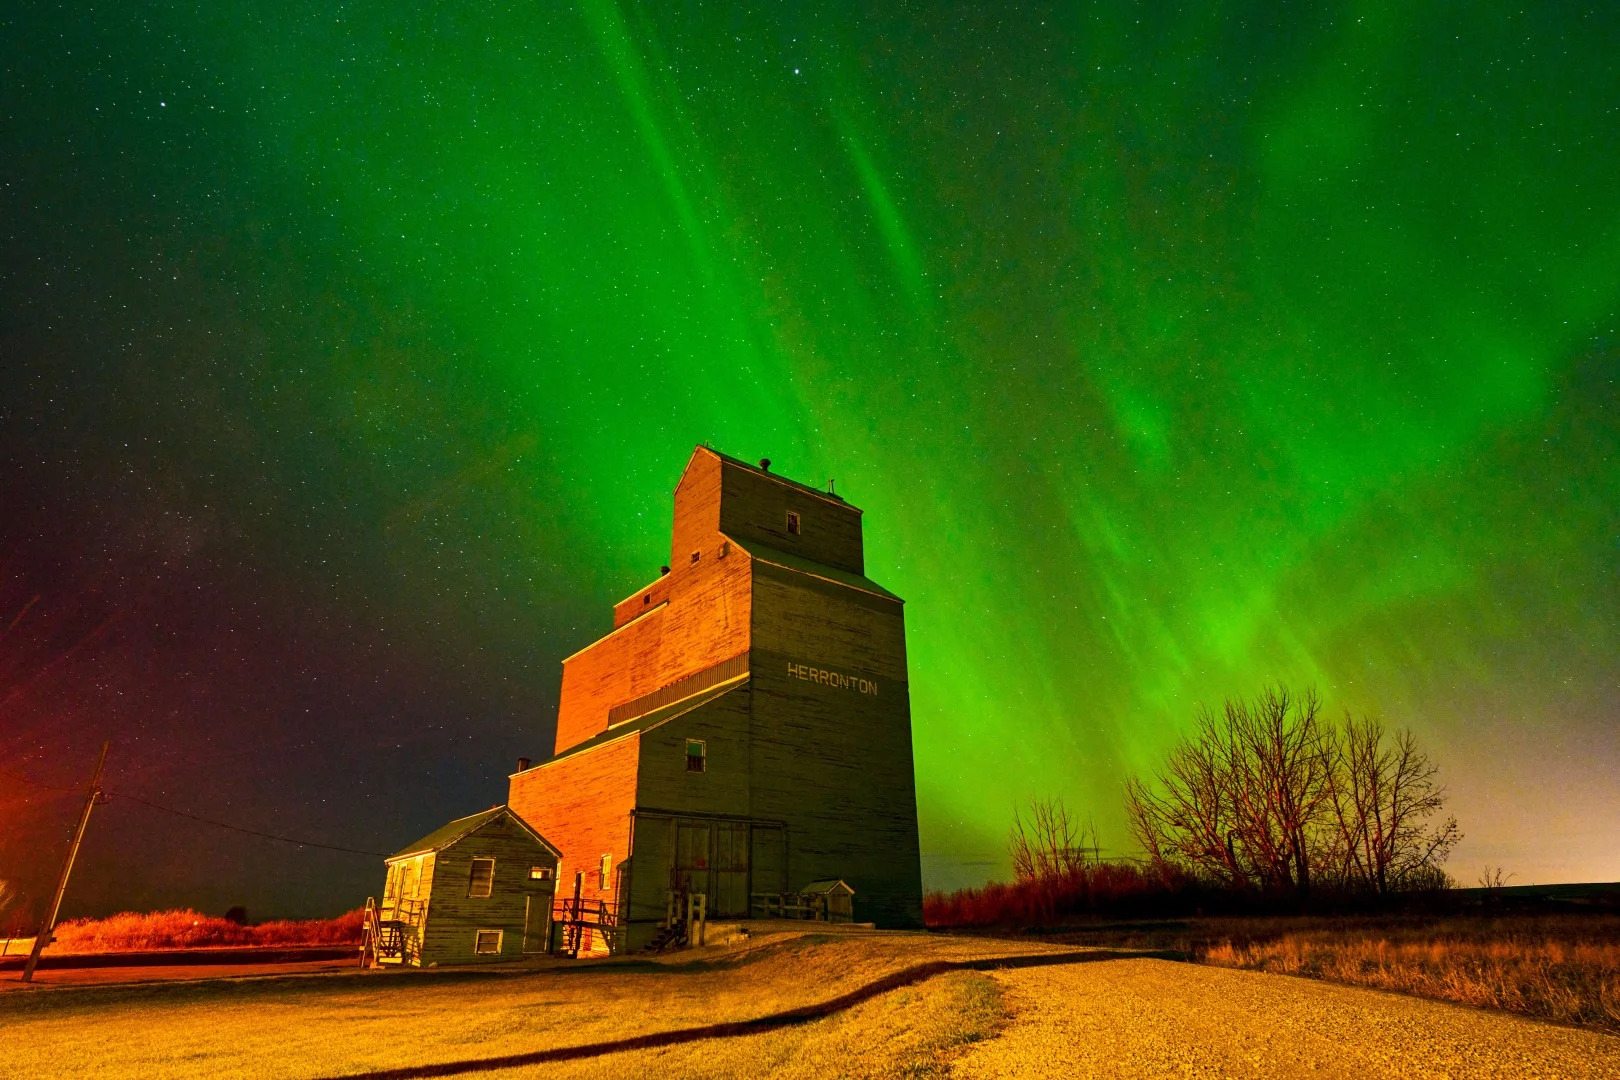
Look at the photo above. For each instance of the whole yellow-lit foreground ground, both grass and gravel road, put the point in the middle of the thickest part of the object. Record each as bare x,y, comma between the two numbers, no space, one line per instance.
900,1006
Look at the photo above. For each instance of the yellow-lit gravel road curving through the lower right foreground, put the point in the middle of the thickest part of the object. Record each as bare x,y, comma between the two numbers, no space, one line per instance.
1161,1019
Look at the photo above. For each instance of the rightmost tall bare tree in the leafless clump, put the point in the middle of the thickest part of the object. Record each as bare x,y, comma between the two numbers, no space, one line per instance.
1384,793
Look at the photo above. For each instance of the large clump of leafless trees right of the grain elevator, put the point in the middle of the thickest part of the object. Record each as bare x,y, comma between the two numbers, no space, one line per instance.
1269,797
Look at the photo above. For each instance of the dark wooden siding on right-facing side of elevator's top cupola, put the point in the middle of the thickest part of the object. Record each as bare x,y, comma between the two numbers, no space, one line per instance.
756,506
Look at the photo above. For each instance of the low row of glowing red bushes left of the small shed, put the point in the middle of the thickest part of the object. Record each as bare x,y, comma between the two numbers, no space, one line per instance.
192,930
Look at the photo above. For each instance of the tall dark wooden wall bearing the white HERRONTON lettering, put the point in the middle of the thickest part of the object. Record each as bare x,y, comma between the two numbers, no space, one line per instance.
832,762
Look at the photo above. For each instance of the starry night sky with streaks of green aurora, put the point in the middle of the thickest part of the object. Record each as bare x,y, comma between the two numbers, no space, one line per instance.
351,357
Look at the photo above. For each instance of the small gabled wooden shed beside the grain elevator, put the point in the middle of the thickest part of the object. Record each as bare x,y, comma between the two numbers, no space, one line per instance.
475,891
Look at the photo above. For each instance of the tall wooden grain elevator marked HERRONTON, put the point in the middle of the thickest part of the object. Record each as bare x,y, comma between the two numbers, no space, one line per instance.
746,728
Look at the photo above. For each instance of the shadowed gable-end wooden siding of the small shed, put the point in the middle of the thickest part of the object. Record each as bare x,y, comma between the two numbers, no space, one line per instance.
453,917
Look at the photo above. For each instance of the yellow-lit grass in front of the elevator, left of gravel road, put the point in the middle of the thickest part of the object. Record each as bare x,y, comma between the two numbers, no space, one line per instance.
343,1024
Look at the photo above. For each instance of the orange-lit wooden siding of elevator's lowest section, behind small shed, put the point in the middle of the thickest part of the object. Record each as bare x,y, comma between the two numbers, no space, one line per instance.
582,807
